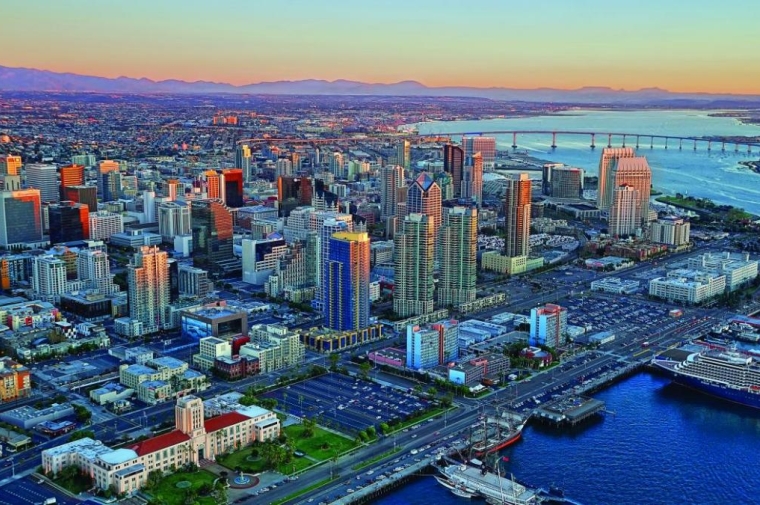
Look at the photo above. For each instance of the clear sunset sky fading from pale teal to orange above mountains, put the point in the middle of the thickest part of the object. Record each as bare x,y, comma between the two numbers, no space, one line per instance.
679,45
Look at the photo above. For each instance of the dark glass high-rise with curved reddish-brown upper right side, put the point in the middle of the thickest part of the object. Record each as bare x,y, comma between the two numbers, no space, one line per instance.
211,224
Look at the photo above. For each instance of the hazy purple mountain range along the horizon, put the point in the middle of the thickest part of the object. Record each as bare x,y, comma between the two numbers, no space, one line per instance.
29,79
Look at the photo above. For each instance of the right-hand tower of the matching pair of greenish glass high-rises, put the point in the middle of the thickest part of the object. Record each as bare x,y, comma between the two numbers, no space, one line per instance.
459,250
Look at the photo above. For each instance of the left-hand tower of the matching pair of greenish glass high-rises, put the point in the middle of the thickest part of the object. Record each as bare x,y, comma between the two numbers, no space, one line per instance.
413,262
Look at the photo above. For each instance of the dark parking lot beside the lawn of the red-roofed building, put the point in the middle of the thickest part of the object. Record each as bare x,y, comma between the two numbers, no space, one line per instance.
345,403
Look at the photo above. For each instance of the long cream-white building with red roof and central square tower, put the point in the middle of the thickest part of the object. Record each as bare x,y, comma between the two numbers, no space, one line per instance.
193,439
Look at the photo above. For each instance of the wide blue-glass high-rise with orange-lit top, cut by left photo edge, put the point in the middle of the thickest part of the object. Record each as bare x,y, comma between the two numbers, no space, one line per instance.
20,218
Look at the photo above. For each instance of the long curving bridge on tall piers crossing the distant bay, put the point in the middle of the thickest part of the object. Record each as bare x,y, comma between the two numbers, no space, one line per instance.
613,139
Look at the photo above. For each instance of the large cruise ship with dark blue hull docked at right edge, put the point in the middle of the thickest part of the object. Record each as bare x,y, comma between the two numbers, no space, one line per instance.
725,374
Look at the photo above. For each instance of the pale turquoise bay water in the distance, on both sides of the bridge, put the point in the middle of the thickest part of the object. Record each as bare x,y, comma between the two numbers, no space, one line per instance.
713,175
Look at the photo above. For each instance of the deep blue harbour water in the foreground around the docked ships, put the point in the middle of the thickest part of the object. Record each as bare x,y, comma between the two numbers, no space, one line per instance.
664,445
